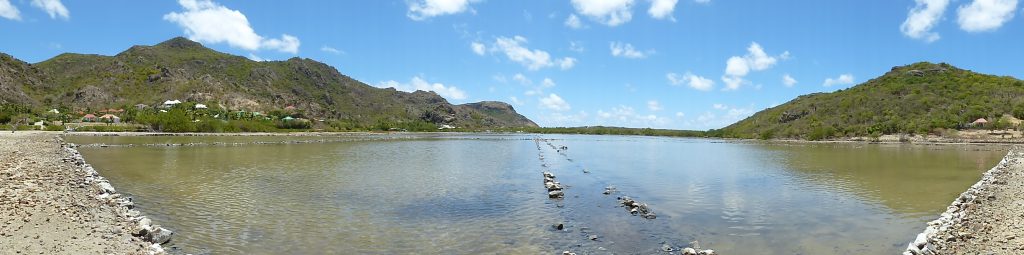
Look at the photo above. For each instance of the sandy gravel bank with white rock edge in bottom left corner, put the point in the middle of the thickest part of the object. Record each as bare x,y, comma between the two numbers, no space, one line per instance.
52,202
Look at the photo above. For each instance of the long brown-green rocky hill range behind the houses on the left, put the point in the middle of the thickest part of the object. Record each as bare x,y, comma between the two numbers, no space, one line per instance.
181,69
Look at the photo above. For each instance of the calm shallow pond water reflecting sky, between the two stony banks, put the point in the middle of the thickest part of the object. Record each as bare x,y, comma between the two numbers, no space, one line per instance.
484,194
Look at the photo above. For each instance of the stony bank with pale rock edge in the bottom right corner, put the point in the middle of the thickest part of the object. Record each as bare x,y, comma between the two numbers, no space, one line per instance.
989,219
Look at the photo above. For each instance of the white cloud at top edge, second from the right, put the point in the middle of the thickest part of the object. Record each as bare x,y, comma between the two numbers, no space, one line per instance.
923,19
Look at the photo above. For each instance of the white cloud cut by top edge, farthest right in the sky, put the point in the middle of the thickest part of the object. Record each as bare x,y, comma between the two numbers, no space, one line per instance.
983,16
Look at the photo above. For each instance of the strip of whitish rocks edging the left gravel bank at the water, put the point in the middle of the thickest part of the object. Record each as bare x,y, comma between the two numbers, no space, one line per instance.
143,227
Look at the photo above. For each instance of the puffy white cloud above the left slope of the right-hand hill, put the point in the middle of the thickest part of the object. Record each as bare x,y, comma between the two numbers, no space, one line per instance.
737,68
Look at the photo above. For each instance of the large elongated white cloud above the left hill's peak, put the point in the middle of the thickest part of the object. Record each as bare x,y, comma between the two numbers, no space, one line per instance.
205,21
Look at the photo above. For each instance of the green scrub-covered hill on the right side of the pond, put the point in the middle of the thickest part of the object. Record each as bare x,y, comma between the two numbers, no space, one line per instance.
918,99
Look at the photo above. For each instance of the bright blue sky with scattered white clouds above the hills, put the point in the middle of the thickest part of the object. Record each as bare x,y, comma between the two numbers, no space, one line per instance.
662,64
